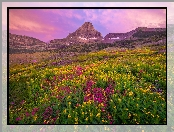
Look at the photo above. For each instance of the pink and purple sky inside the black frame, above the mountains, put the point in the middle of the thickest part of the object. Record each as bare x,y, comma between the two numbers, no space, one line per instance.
48,24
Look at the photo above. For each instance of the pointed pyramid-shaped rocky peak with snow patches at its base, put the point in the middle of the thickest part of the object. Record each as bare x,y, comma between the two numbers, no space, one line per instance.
85,34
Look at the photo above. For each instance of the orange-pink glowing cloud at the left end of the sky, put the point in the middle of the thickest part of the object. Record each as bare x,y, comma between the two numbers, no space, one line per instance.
27,20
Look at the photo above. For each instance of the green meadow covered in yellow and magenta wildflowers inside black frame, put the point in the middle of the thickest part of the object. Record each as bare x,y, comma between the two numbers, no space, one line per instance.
103,87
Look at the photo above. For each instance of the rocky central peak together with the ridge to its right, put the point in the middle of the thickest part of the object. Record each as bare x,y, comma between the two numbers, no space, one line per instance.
87,34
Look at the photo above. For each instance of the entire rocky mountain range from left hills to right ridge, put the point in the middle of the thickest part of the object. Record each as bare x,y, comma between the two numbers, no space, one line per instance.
85,35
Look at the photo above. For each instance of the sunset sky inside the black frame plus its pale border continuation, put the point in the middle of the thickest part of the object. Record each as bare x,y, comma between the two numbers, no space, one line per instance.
48,24
